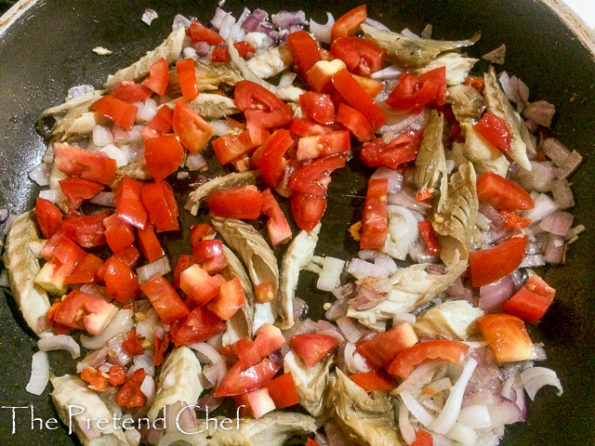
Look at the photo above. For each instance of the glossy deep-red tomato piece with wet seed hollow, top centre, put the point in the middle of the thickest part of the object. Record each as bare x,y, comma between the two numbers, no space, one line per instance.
261,107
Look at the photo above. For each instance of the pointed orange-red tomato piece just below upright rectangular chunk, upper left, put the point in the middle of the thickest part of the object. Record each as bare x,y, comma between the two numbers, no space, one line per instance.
194,132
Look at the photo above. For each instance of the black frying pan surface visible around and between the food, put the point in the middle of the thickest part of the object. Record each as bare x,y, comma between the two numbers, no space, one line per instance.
47,49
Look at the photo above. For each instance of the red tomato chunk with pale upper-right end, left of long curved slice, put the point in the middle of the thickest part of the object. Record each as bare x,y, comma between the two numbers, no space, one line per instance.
382,348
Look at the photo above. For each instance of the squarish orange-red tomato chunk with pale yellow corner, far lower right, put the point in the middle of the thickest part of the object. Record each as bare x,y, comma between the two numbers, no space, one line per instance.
507,337
